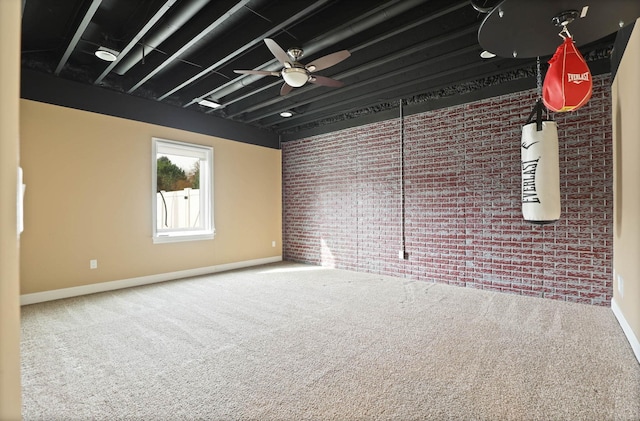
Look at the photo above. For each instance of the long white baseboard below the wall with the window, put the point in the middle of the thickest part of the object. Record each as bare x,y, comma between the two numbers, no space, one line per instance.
57,294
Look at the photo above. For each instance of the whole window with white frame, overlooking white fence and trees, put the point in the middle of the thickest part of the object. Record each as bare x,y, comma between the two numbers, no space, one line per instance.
182,191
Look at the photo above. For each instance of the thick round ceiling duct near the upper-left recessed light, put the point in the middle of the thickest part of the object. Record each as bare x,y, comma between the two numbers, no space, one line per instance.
136,54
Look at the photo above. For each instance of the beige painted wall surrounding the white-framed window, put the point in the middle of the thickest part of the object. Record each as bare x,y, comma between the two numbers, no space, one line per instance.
88,196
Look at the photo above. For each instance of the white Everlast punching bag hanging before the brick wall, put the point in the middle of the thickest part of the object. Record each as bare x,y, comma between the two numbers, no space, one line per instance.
540,170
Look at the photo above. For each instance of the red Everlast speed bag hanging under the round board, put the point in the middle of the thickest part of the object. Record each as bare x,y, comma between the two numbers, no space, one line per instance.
567,85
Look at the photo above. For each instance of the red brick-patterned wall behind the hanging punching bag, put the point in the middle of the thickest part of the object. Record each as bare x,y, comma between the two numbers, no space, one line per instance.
342,200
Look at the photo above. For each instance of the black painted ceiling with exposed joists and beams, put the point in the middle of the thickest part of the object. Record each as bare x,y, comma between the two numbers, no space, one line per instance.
420,51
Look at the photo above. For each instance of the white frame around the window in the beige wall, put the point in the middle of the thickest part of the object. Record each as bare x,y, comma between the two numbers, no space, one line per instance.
205,153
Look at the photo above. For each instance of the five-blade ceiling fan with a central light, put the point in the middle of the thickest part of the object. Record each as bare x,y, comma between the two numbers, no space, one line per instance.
296,74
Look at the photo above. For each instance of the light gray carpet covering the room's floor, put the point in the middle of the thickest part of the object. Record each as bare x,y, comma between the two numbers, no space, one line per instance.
296,342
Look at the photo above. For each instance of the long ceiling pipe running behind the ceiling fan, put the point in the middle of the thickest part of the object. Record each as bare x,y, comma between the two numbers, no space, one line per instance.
327,40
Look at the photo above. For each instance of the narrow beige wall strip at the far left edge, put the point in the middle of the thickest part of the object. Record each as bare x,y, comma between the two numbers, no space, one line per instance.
10,405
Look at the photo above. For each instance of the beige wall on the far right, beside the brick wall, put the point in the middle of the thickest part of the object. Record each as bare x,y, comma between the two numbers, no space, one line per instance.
626,149
